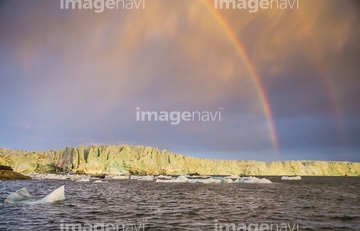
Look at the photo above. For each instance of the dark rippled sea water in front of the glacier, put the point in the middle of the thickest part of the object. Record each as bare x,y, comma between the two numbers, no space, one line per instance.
313,203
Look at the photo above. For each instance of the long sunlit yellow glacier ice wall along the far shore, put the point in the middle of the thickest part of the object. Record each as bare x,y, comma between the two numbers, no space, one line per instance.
150,160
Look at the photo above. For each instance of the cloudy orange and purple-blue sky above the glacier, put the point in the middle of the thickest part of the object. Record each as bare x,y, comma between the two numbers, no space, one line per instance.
72,77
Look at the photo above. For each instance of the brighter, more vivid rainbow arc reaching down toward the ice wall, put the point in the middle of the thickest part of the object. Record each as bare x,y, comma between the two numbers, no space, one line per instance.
252,71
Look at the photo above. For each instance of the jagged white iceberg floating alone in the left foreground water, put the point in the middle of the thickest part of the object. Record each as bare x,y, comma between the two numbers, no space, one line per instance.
23,196
